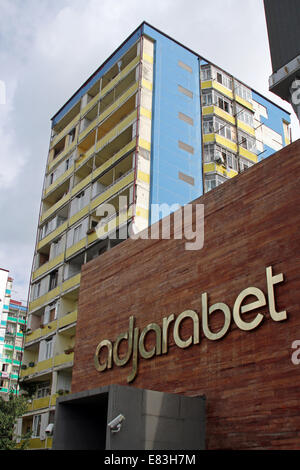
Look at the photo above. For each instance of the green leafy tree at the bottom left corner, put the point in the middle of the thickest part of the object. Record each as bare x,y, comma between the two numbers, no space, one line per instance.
10,411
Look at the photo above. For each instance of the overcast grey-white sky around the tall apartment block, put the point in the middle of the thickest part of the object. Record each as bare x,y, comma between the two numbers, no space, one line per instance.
48,48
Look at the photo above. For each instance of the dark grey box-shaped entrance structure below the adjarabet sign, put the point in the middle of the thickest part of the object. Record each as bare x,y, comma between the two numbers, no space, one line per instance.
153,420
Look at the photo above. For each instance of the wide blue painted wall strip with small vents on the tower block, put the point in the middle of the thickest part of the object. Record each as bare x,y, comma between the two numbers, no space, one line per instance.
167,159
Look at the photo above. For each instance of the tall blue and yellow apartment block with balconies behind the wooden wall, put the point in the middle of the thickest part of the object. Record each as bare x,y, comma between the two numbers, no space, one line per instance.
155,124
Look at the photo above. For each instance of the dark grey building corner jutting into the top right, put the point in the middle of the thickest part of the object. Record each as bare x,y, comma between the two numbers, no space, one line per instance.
283,24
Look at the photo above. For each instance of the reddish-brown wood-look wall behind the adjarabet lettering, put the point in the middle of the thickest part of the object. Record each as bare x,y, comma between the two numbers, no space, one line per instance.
252,387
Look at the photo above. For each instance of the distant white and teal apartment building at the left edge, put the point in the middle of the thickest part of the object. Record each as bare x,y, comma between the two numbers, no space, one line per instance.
13,324
